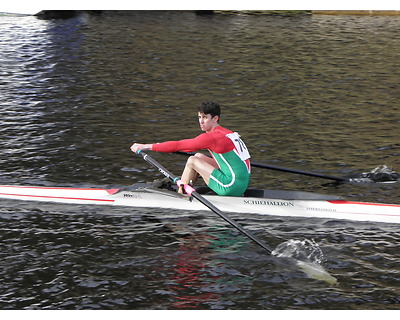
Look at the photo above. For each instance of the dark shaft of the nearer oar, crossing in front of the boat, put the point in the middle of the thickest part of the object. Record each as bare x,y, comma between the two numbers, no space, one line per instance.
203,200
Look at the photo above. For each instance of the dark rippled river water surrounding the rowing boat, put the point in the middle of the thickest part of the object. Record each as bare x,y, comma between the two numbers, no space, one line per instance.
313,93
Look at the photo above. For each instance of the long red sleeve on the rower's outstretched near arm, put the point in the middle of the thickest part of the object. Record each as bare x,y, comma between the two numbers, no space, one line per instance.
203,141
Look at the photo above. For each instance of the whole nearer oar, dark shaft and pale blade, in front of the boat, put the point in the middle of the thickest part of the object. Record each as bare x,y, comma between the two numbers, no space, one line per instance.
313,271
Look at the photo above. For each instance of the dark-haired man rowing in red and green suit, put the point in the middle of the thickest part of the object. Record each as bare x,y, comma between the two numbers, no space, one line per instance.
227,173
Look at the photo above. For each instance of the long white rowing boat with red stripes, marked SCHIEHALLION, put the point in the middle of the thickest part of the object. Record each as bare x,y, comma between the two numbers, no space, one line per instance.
254,201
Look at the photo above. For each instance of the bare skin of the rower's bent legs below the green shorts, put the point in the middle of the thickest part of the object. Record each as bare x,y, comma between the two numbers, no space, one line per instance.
198,165
